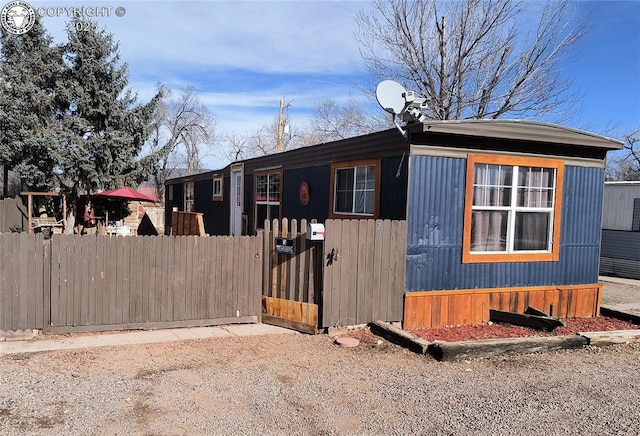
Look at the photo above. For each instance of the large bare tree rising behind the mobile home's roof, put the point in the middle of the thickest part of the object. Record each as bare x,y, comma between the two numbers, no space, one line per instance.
473,58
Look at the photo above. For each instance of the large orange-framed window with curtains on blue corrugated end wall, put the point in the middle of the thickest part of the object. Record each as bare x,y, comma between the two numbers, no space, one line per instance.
512,209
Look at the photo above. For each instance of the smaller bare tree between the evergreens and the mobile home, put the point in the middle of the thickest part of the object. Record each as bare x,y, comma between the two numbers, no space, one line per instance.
183,134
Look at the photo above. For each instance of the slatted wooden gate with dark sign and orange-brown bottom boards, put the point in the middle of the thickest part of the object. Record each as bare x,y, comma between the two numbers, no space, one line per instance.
291,281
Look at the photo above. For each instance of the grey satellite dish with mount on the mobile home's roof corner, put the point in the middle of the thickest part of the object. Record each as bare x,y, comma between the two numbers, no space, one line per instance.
404,105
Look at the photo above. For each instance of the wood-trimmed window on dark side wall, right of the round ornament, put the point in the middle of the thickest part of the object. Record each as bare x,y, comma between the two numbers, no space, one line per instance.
355,188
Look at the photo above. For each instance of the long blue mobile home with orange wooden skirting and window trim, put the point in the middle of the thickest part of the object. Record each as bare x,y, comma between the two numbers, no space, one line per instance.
500,214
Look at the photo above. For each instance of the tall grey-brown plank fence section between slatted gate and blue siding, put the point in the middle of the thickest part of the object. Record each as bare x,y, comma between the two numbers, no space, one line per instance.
364,271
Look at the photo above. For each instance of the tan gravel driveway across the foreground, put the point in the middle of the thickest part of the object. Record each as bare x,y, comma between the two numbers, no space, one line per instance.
298,384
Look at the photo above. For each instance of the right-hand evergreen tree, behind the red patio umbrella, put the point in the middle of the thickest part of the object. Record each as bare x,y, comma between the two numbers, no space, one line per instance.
104,129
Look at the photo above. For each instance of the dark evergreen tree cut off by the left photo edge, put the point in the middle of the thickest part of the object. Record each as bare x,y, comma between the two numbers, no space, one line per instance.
29,68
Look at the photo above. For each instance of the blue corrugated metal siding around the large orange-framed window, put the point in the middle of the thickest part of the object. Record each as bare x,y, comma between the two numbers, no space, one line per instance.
435,229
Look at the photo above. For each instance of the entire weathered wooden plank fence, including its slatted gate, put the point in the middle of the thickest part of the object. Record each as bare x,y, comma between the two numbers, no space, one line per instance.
92,283
